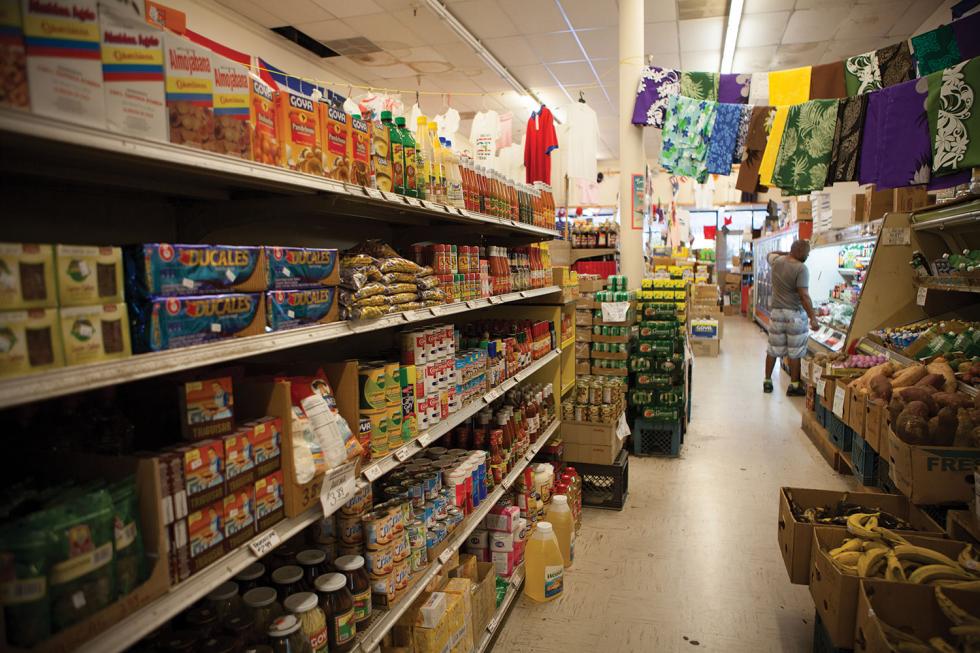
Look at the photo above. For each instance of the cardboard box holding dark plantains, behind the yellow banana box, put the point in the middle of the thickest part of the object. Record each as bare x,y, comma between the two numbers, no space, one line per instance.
796,537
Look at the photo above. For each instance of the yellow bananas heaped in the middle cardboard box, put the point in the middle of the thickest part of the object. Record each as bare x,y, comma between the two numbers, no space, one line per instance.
877,552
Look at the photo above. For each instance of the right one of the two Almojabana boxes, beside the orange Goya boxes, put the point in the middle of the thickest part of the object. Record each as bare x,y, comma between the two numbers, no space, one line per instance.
231,108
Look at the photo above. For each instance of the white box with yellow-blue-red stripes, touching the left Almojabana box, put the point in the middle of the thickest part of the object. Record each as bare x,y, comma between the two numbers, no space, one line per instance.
132,74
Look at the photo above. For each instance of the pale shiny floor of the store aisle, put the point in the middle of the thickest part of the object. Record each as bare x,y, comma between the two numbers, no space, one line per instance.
692,563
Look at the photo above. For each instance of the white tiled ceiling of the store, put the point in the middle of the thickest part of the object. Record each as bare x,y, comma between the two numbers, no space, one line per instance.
559,47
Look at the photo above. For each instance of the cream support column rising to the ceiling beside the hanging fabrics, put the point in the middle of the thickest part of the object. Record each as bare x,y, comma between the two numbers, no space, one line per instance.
632,160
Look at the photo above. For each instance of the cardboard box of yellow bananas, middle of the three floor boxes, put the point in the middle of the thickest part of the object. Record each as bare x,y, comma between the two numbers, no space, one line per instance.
865,550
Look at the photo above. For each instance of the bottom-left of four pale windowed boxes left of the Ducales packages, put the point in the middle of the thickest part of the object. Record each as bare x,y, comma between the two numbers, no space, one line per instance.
30,341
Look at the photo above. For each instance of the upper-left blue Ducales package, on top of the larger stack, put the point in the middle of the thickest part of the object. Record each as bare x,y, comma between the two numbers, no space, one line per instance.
162,269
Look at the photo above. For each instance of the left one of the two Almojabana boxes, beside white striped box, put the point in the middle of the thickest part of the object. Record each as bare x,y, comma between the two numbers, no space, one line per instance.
189,88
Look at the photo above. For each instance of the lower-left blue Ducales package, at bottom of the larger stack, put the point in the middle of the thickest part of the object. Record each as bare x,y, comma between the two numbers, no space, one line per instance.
160,323
